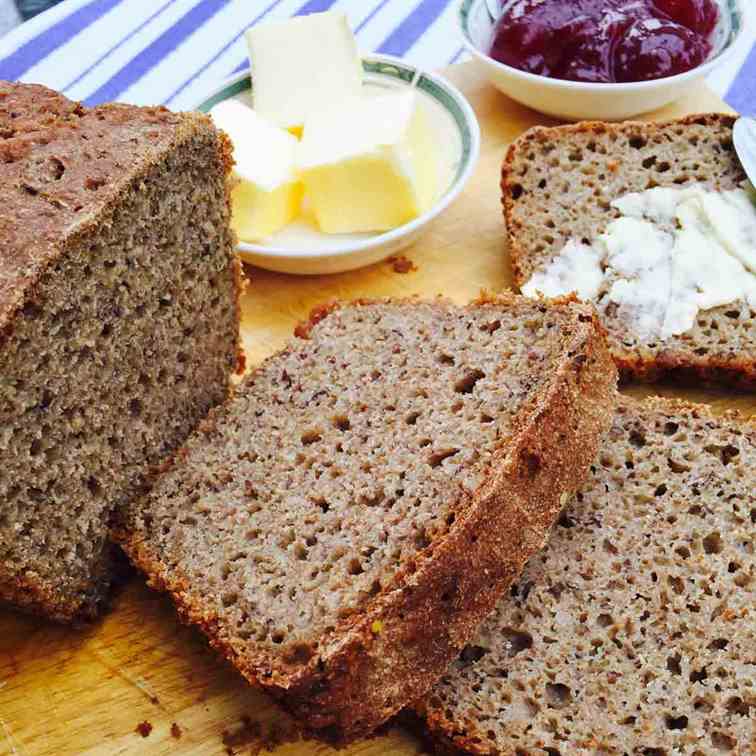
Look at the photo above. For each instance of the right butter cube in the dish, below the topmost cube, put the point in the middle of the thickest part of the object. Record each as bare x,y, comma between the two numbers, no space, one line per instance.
369,163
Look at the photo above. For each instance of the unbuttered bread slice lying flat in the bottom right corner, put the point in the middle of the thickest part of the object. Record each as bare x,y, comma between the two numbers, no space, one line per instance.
634,632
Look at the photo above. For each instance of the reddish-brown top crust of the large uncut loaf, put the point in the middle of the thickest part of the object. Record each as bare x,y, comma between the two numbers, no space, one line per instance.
39,120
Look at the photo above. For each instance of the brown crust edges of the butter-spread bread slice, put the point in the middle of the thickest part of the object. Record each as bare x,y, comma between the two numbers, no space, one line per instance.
641,365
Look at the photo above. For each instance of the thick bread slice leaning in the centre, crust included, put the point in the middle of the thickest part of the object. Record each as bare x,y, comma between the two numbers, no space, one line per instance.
340,528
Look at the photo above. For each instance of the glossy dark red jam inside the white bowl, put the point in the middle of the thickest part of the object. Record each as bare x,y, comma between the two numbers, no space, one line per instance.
605,40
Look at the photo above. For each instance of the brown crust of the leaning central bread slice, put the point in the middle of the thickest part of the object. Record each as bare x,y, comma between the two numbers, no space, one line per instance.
393,650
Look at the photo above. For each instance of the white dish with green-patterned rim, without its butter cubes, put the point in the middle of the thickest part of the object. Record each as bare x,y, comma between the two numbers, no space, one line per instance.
301,249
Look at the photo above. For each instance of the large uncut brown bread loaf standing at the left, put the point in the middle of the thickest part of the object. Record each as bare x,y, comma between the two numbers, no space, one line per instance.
118,324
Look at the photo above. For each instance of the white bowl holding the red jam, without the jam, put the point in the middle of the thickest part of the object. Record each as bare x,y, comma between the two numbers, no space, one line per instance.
576,101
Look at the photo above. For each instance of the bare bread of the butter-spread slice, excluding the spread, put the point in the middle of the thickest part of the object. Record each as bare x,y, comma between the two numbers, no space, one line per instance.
558,183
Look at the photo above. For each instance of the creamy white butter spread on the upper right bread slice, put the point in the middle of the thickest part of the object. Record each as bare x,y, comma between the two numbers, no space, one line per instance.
673,253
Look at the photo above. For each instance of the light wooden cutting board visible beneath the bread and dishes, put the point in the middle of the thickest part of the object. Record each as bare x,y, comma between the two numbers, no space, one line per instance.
85,692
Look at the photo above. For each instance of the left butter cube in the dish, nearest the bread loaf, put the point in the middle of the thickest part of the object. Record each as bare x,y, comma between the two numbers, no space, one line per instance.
268,194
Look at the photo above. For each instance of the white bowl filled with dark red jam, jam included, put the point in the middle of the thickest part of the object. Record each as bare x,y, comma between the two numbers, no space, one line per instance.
600,59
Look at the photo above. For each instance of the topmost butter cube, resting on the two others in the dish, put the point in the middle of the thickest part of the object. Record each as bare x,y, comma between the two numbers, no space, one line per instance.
300,64
